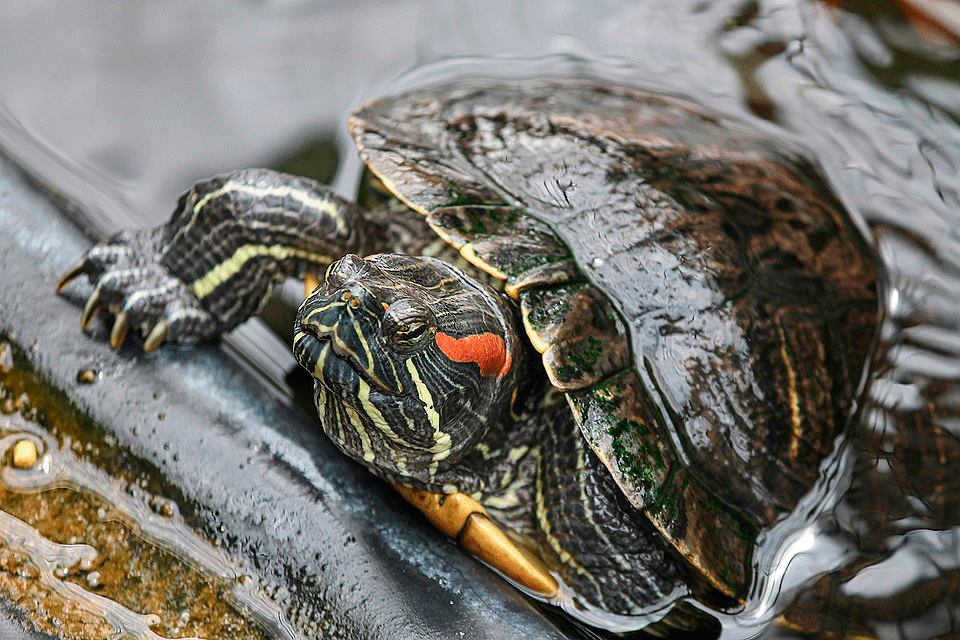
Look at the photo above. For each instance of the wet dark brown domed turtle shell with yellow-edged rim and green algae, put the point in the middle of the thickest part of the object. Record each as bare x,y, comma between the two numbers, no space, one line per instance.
692,285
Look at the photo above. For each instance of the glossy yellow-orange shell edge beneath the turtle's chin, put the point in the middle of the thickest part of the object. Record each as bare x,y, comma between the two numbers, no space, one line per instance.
463,518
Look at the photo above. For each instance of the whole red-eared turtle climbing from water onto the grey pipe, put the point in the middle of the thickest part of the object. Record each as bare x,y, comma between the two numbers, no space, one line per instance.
653,335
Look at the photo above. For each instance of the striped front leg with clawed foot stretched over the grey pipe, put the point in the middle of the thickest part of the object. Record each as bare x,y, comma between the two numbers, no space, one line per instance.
212,266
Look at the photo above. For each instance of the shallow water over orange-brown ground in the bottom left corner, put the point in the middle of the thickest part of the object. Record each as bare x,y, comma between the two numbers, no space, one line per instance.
136,555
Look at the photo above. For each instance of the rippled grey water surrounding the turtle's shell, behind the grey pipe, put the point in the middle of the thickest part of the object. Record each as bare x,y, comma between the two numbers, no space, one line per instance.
123,106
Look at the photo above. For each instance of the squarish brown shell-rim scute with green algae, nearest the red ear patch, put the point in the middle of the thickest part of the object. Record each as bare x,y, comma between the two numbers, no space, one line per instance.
580,334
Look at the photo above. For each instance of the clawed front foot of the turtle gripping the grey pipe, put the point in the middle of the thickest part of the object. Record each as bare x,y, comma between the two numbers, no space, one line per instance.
130,283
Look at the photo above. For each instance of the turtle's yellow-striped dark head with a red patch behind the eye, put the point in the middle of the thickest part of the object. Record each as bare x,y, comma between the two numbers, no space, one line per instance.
412,360
